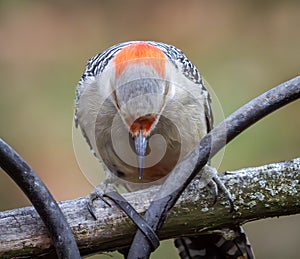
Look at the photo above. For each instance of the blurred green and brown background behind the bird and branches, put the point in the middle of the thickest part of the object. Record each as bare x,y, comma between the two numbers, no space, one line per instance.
242,48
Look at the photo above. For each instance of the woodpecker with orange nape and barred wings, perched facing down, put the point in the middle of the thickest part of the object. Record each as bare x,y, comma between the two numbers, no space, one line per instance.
142,106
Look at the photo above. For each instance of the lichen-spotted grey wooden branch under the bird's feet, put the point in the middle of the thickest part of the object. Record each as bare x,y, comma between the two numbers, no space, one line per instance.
266,191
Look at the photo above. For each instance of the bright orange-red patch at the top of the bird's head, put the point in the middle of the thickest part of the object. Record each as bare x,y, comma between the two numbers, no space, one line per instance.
140,52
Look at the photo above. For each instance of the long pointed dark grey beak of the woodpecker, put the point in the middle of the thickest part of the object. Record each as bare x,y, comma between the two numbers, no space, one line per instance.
140,143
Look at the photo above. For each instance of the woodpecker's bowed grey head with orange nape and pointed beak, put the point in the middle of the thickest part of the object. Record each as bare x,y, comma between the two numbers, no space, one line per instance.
140,92
